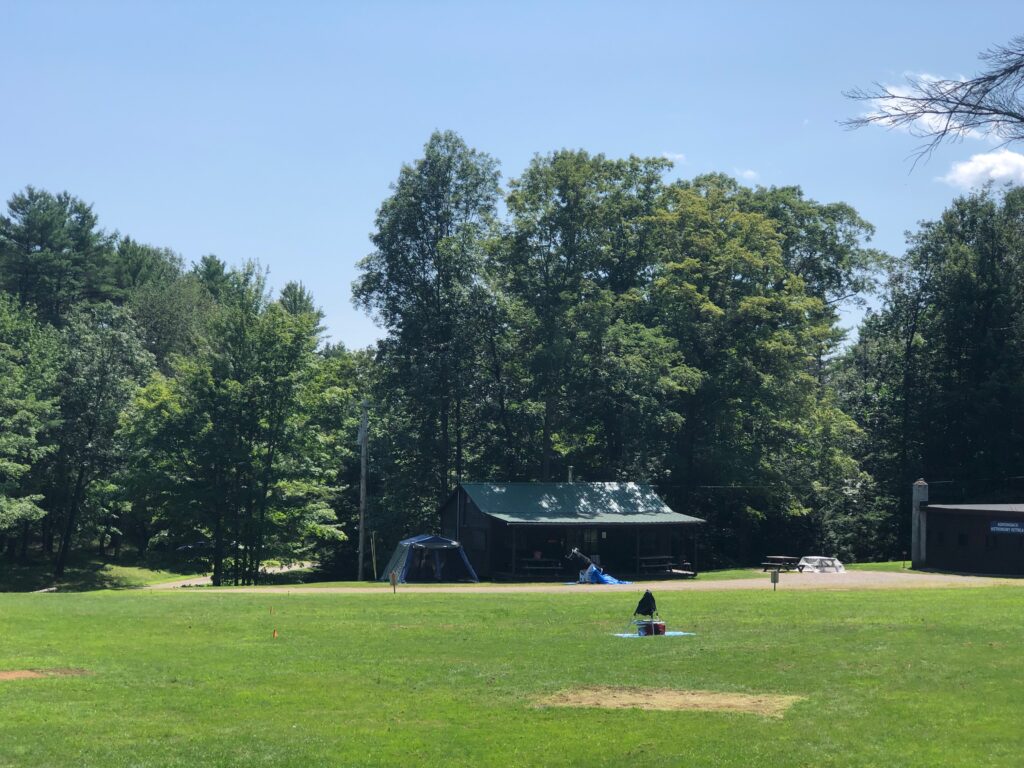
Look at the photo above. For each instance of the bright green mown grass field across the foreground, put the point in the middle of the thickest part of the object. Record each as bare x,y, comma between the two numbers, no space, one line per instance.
909,678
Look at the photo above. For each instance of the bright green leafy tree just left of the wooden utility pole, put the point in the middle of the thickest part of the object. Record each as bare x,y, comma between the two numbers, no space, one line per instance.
221,448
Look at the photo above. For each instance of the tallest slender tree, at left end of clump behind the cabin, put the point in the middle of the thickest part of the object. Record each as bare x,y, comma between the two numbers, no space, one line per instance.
424,283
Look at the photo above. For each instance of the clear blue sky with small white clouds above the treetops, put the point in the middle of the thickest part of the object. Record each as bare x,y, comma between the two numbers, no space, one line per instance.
272,132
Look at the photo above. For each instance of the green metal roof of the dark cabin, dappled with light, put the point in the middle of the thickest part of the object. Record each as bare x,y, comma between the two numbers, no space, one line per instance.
574,504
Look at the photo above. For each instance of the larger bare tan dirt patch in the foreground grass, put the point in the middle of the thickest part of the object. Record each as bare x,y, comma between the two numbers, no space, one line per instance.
767,705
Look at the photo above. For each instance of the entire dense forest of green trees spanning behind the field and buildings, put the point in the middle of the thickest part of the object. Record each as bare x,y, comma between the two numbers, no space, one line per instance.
590,314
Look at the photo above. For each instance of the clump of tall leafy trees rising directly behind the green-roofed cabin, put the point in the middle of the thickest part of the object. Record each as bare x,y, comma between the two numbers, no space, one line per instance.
630,328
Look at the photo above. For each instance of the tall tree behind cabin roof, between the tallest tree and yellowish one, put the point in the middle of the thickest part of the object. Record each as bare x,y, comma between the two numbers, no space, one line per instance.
575,269
